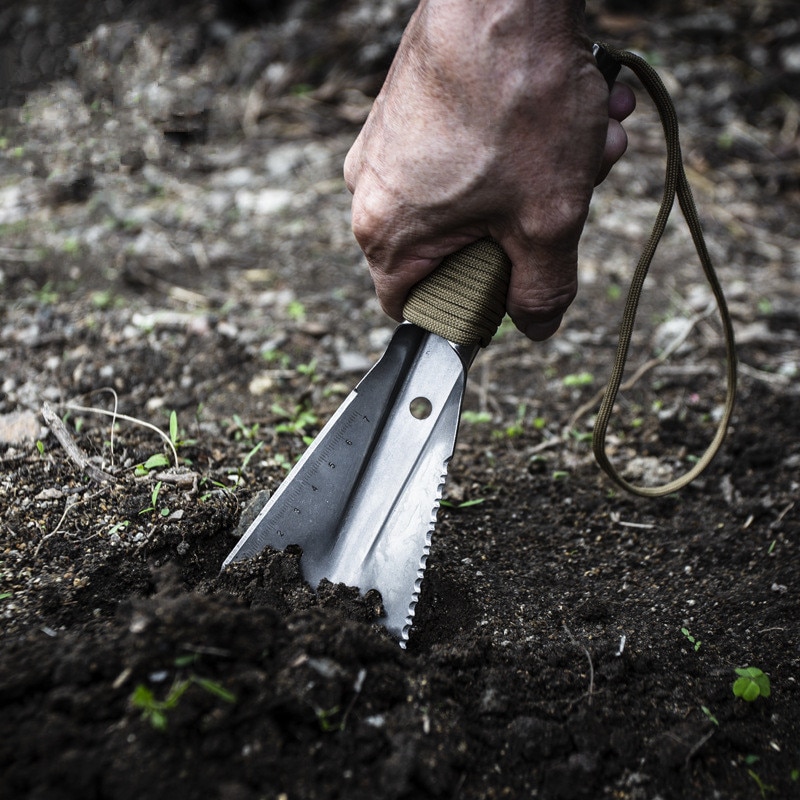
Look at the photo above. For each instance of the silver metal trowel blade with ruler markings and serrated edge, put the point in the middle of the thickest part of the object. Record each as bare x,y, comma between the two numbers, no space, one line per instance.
362,500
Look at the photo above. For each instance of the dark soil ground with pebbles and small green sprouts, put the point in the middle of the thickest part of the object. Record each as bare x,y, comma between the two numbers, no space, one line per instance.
174,237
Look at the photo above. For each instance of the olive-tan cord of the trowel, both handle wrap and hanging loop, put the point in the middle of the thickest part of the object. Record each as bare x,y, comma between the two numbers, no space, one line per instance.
463,300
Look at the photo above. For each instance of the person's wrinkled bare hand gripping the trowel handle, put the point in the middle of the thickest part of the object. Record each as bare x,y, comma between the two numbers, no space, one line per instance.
493,120
